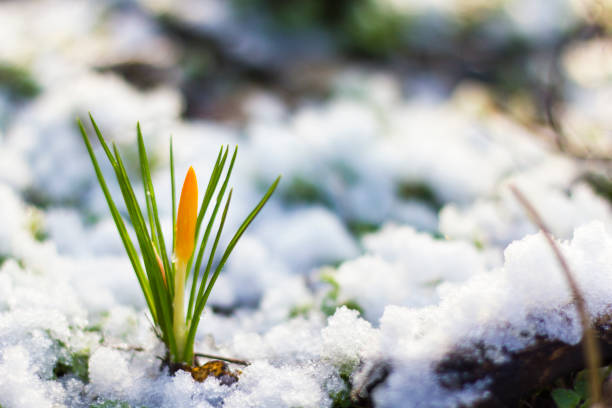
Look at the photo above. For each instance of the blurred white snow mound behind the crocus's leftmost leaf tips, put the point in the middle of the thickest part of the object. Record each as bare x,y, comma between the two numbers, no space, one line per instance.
52,117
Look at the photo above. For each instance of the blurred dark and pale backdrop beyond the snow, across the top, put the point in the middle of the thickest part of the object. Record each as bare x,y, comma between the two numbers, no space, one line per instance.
543,63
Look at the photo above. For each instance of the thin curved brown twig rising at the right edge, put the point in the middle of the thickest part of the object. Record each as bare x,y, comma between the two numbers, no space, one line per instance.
592,353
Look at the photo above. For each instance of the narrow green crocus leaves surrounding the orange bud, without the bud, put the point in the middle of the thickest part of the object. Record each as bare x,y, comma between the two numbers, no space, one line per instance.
156,277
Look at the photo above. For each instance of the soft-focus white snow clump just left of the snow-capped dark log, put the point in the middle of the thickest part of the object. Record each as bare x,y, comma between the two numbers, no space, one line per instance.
403,267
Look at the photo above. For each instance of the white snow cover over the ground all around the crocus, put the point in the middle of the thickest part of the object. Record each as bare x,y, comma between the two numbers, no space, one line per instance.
393,235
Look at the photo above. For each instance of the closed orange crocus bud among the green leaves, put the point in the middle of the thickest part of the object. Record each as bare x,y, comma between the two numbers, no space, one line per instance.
186,218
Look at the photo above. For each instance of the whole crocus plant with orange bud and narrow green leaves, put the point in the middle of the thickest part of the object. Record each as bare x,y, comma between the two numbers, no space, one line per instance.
165,294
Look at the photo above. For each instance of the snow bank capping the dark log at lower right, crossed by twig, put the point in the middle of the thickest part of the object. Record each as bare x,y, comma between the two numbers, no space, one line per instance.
505,309
